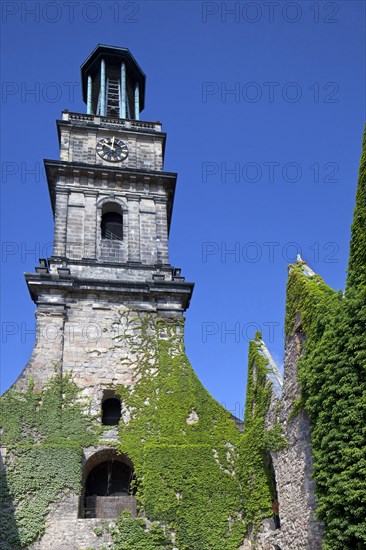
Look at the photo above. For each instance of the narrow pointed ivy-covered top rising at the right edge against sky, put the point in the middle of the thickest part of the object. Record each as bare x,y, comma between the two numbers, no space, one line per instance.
357,260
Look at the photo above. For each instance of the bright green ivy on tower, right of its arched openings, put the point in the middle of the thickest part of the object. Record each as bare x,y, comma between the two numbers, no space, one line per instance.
186,472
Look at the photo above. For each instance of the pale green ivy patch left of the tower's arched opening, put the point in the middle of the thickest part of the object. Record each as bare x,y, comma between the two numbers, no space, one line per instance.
44,433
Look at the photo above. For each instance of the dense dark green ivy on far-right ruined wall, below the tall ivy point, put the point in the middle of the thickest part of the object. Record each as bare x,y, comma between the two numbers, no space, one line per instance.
332,372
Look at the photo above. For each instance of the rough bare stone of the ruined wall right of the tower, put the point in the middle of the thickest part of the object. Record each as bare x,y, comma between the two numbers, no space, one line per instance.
300,530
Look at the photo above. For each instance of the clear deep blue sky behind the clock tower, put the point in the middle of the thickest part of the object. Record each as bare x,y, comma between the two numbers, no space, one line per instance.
263,104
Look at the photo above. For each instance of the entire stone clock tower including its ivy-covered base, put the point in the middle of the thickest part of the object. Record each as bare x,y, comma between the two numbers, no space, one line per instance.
108,408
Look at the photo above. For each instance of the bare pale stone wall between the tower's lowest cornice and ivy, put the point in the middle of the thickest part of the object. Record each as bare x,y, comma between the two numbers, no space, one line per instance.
94,339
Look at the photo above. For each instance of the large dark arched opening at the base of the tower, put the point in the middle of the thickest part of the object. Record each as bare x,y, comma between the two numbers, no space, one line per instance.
107,486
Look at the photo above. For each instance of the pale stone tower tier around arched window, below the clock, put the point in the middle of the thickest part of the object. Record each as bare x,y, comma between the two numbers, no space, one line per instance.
78,215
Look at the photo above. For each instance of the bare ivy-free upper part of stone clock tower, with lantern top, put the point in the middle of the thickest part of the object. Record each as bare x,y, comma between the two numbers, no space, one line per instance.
112,205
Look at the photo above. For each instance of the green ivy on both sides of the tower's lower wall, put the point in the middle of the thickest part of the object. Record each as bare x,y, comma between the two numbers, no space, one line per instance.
183,444
